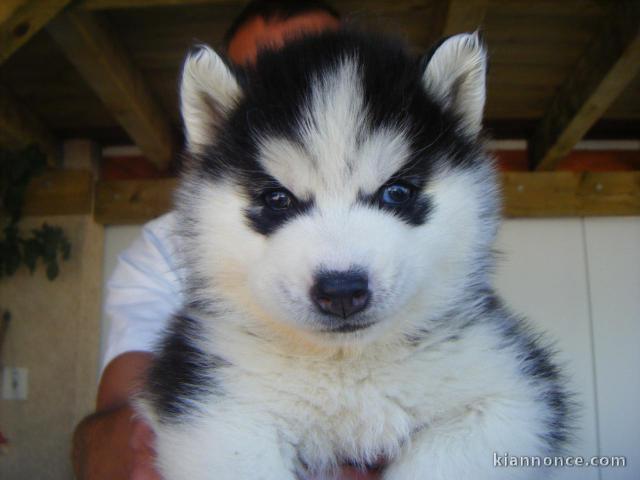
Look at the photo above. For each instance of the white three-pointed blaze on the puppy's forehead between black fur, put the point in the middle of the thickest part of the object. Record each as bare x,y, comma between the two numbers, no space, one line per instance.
337,148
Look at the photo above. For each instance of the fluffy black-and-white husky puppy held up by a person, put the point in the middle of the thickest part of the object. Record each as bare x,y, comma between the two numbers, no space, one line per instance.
337,216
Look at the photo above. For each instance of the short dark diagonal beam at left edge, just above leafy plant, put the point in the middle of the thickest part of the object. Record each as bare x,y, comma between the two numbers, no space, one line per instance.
19,127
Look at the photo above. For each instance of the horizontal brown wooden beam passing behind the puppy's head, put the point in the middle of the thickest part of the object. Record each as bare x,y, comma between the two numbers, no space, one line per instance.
525,194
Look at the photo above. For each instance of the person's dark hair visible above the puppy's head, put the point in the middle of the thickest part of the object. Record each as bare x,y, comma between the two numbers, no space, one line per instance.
277,9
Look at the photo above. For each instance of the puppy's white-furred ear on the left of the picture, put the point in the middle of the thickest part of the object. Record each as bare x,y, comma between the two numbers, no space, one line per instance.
208,91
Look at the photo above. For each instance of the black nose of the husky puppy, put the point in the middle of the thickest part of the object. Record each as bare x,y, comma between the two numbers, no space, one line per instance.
341,293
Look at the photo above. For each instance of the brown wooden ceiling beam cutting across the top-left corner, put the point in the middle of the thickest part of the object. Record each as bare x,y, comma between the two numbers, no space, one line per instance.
21,19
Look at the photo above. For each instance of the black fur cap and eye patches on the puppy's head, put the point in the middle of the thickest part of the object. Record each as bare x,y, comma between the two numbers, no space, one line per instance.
276,96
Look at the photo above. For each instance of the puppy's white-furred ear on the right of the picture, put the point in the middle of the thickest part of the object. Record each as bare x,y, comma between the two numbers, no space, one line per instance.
456,75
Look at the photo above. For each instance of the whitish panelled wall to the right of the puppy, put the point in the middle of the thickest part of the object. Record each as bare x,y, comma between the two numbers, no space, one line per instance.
579,280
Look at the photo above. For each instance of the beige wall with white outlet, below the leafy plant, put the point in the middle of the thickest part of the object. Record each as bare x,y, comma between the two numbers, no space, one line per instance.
54,333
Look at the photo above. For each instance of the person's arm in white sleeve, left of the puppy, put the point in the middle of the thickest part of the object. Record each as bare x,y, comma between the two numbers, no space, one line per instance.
142,294
